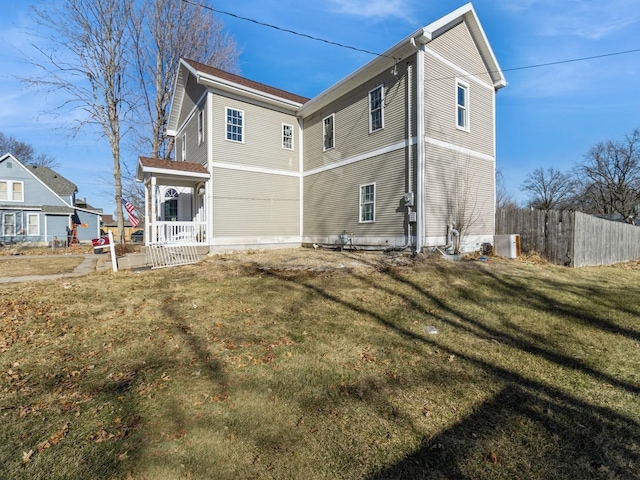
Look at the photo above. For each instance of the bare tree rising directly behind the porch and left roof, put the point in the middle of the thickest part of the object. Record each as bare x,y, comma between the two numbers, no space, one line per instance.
165,31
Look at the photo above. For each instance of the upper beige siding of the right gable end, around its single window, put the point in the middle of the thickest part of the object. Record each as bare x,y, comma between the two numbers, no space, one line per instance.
457,46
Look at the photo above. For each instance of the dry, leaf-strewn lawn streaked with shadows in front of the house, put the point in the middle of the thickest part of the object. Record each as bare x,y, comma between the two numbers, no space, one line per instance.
227,369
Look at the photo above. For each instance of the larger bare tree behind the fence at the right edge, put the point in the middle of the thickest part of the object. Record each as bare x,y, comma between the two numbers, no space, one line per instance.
609,178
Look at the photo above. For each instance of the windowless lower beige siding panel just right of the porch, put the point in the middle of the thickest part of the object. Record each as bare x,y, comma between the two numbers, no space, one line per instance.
255,204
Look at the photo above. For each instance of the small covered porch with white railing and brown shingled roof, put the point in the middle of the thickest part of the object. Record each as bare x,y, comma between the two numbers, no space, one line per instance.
175,210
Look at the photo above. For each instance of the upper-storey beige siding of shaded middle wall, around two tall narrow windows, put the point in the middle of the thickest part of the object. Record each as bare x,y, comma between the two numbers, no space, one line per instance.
352,135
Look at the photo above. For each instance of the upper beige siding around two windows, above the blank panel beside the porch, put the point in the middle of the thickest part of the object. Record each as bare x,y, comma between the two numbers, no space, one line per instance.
262,132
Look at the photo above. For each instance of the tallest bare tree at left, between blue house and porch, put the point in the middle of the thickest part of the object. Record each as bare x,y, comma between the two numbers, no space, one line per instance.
87,59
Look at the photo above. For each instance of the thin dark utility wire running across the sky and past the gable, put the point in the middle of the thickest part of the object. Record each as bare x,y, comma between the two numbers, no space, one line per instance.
330,42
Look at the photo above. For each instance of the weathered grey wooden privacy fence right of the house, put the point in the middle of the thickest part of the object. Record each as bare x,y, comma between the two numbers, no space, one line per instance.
571,238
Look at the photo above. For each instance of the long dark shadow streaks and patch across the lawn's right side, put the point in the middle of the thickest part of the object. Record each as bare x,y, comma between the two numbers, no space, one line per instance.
552,434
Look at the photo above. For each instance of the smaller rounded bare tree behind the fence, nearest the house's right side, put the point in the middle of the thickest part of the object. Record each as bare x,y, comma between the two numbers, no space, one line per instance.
548,189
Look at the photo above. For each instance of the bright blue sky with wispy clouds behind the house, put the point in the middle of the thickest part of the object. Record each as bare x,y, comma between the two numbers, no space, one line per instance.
546,117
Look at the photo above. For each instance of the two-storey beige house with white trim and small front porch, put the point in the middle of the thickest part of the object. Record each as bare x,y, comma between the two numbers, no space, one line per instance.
399,154
